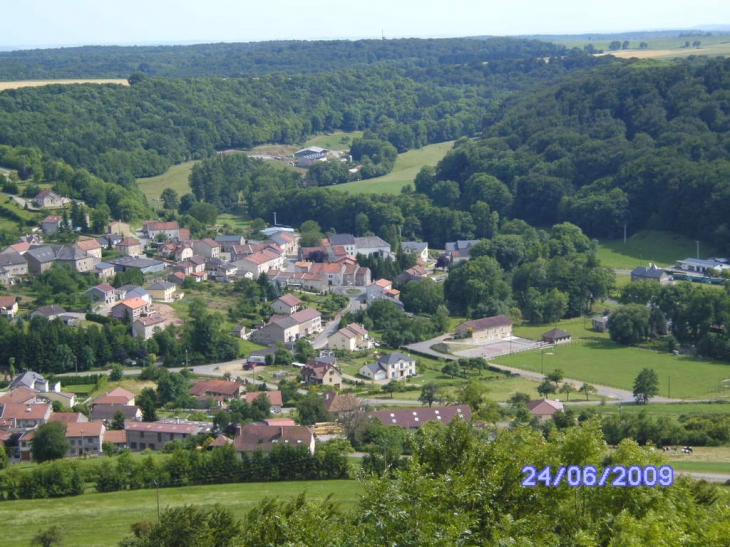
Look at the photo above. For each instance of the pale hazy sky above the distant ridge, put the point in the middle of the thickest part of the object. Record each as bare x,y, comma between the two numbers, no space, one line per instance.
51,23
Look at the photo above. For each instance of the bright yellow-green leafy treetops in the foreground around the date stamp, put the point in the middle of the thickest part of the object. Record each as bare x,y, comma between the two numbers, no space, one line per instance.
459,491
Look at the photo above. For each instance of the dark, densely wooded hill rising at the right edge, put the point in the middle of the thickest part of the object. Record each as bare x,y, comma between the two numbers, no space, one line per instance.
640,142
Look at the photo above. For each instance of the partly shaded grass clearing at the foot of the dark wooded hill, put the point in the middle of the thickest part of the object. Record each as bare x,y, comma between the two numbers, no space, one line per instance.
645,246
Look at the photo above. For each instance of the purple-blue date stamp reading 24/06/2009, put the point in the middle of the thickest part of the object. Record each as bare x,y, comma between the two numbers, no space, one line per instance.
616,475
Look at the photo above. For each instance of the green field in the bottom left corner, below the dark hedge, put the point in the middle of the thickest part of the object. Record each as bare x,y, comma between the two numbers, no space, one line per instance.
100,520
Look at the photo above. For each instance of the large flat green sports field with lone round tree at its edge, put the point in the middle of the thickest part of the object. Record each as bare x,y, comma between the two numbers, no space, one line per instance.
601,361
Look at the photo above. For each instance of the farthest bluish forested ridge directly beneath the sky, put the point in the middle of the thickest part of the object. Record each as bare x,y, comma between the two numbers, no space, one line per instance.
258,58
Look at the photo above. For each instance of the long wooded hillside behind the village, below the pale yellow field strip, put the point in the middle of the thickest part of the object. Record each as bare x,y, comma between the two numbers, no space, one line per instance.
142,129
